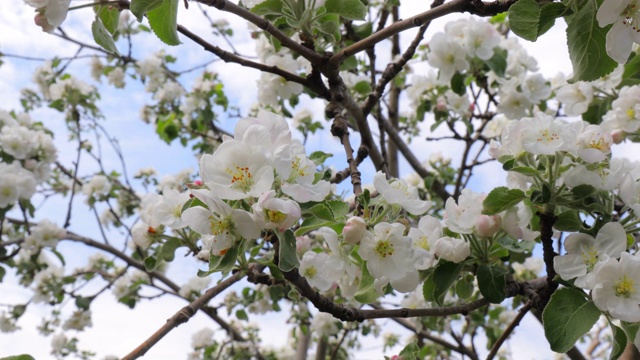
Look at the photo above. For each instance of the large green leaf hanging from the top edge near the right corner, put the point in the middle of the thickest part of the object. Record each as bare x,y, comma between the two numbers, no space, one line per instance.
586,40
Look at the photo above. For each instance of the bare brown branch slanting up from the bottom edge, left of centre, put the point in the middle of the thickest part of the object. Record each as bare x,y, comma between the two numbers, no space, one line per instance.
183,316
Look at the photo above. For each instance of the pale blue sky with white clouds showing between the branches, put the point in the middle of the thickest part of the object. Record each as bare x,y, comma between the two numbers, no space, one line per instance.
116,329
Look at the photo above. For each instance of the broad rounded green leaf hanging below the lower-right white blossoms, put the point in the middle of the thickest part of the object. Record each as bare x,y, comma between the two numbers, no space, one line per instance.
567,317
